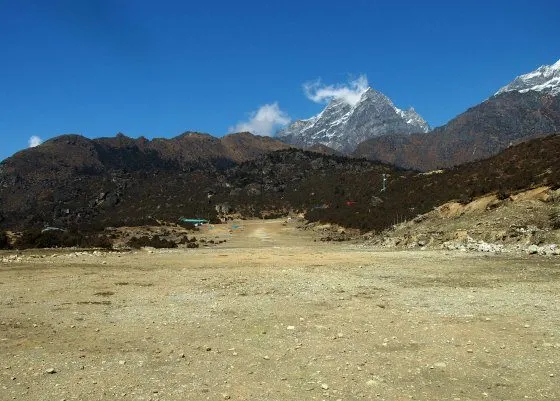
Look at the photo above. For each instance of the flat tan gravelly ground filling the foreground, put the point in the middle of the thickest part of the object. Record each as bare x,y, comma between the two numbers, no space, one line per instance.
273,315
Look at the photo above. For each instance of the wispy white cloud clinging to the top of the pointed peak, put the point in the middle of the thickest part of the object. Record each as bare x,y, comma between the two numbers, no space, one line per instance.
350,92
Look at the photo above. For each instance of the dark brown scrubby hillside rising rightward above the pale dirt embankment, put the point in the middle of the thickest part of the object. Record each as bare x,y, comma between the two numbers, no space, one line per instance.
518,168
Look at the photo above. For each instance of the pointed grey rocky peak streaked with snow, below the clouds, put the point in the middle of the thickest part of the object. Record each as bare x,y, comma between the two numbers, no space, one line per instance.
342,125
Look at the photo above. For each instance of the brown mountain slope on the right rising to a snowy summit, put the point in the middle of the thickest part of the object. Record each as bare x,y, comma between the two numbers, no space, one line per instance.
529,107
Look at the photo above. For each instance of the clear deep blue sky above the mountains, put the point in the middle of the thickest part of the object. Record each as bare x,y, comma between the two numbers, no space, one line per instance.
159,68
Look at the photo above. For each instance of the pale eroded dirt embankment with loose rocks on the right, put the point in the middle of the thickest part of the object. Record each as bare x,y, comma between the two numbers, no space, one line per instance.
525,222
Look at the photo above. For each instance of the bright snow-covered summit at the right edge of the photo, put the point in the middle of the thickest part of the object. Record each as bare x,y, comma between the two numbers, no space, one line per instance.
544,79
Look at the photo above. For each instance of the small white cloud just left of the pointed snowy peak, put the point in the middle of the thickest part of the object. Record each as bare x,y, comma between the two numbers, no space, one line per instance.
264,121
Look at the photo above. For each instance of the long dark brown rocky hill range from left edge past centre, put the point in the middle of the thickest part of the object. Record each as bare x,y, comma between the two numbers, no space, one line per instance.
75,182
